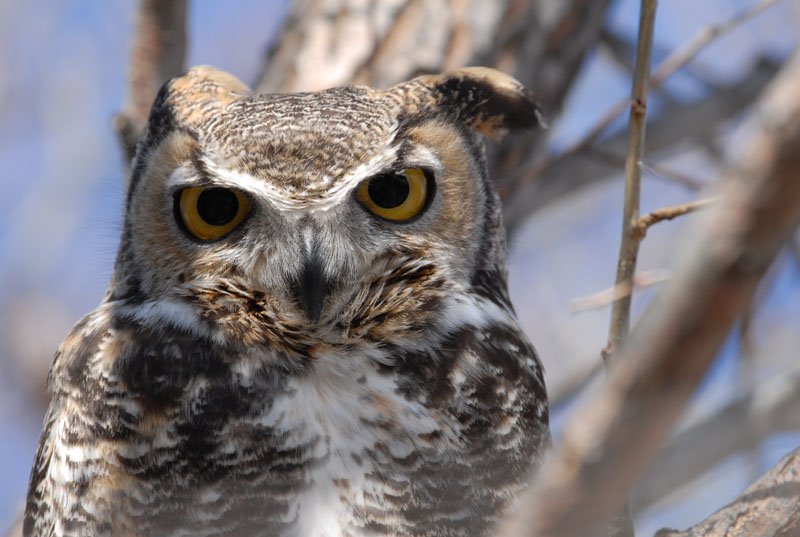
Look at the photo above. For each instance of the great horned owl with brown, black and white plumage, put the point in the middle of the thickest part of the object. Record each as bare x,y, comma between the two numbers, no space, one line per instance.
308,330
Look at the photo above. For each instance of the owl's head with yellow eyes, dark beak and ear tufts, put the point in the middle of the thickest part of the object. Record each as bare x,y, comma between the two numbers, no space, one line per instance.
332,218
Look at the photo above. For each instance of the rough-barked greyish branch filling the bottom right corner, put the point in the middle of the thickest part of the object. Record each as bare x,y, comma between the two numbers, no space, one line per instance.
768,507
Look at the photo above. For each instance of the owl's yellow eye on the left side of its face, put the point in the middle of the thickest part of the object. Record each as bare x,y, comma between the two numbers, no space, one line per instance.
211,212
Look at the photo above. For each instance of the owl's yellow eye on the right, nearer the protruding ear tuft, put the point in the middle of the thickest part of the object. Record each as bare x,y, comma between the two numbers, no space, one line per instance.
395,196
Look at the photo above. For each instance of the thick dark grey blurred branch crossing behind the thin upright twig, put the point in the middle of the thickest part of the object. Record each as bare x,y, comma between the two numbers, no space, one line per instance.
676,124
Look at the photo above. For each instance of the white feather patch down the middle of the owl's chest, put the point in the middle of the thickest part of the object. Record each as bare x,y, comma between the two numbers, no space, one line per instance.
332,406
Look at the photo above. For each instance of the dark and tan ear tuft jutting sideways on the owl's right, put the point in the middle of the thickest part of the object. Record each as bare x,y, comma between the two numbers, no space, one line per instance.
491,102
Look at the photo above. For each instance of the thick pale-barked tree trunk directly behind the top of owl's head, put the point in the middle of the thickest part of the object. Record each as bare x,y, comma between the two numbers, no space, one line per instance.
383,43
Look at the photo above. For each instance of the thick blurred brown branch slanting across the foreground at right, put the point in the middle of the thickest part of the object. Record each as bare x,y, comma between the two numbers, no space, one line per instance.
611,440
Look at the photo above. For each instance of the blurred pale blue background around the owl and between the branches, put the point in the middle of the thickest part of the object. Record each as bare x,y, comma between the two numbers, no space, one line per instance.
64,67
